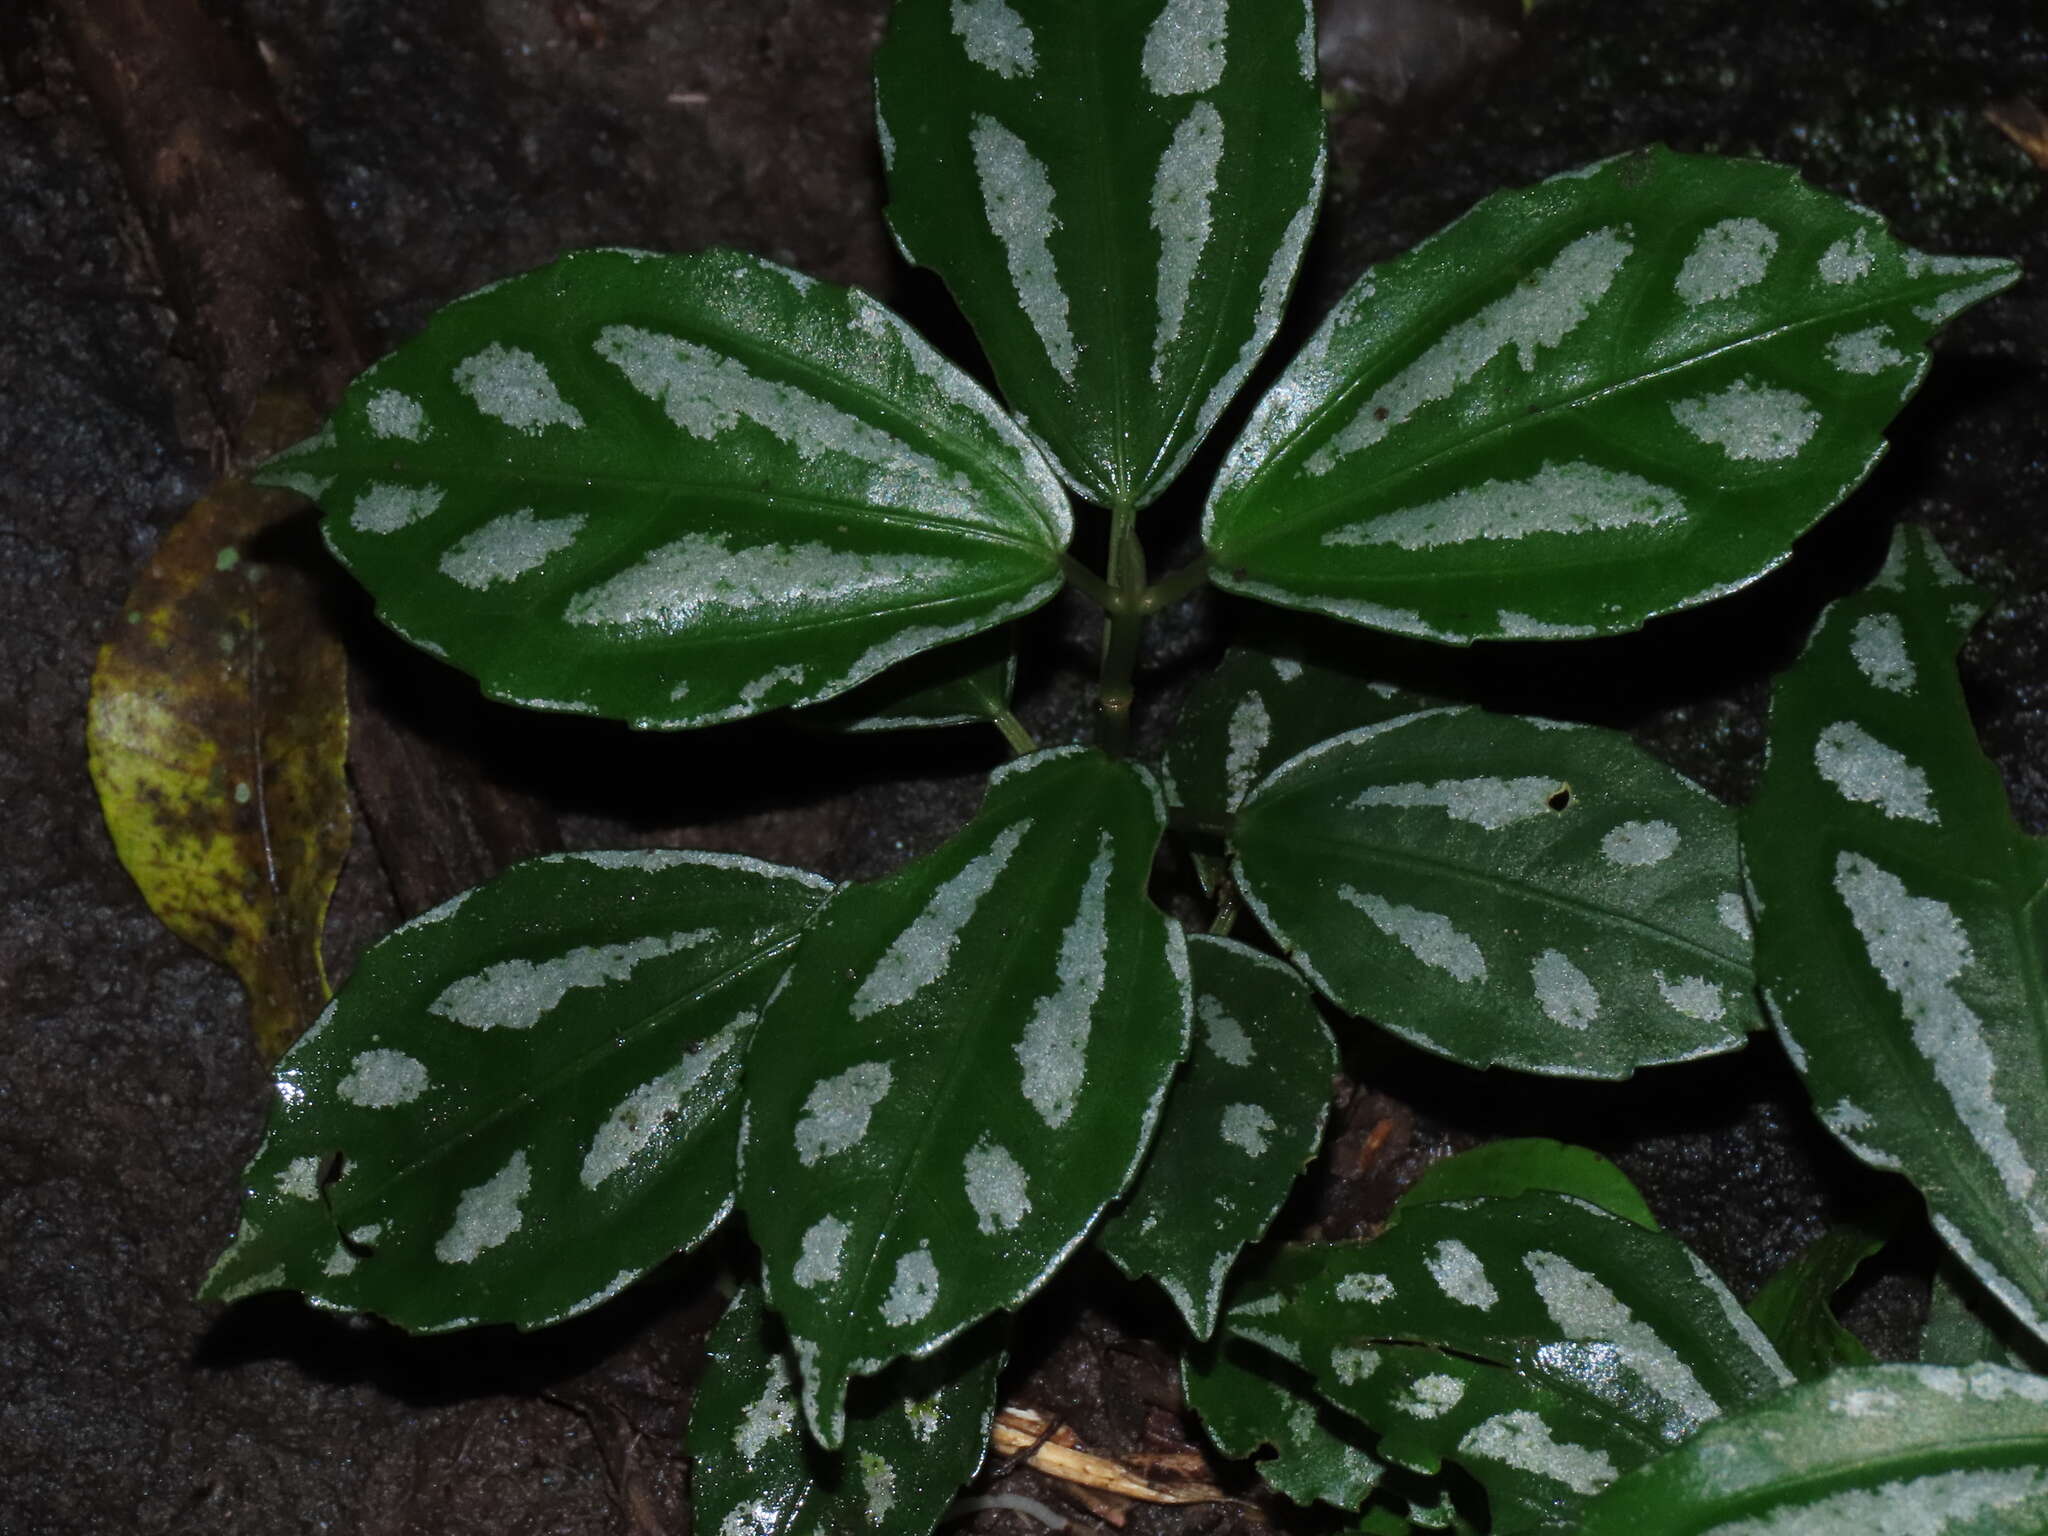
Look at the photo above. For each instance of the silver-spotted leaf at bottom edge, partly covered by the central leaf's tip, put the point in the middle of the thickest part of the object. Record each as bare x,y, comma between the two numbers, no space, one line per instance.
912,1439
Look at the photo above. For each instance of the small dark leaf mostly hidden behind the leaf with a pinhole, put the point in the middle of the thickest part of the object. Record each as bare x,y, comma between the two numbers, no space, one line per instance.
1256,712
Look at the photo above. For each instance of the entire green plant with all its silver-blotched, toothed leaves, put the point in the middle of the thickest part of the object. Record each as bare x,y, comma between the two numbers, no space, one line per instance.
677,490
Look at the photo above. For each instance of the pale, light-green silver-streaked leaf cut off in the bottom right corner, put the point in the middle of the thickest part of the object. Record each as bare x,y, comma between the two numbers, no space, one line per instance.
1877,1451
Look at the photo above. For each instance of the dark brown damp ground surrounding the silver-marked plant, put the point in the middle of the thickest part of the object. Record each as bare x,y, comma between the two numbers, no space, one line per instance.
445,146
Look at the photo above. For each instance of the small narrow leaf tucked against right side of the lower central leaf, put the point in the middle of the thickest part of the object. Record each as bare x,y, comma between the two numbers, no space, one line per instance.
1240,1125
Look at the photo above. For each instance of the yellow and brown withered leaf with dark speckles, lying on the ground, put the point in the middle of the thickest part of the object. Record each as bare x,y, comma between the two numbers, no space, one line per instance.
218,738
